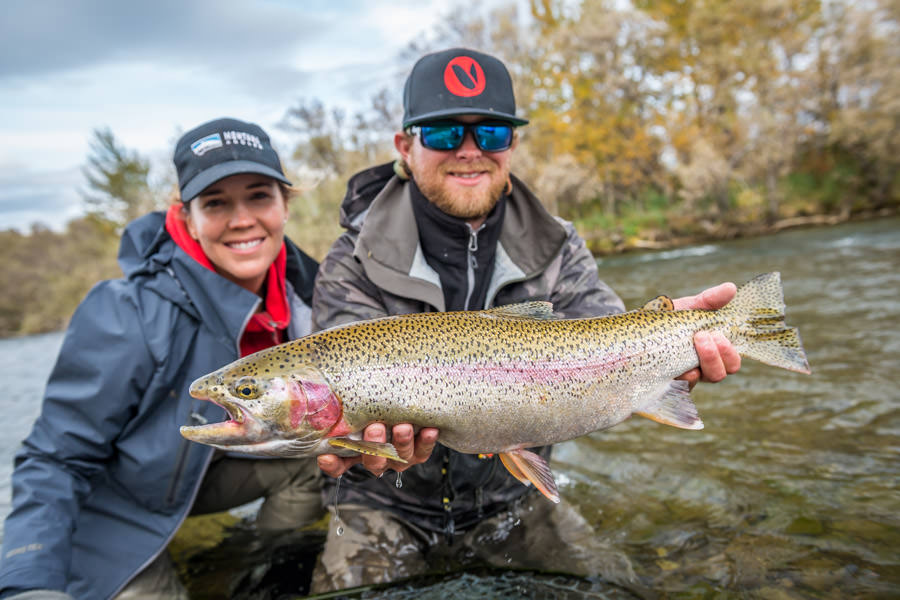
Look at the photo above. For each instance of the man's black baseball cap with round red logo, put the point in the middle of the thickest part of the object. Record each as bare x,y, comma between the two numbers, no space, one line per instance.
458,82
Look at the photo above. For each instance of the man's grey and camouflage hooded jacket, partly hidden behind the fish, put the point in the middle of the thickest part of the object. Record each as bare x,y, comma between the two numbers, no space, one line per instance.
377,268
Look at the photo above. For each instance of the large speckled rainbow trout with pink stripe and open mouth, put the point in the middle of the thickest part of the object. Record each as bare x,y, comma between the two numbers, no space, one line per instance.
492,381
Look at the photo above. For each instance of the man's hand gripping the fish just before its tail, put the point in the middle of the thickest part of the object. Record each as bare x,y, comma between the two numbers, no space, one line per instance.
718,357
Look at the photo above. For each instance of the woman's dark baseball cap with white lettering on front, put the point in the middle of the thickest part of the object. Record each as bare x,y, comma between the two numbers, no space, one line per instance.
219,149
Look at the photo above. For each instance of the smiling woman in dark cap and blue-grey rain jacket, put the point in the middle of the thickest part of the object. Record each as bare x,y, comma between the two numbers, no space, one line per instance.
104,480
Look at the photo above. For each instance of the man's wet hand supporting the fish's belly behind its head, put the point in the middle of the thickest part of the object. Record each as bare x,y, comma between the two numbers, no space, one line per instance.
414,449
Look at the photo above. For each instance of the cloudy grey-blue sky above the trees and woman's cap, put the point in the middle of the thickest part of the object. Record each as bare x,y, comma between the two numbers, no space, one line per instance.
151,70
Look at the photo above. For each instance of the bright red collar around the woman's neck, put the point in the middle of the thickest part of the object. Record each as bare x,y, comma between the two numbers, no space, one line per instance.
276,313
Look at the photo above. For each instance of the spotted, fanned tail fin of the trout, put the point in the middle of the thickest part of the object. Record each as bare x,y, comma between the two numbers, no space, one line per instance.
760,332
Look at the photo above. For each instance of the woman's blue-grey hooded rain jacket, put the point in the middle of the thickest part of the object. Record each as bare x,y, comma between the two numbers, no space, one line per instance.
105,479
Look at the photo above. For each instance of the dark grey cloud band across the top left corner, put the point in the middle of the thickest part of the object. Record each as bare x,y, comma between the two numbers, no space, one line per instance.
52,36
